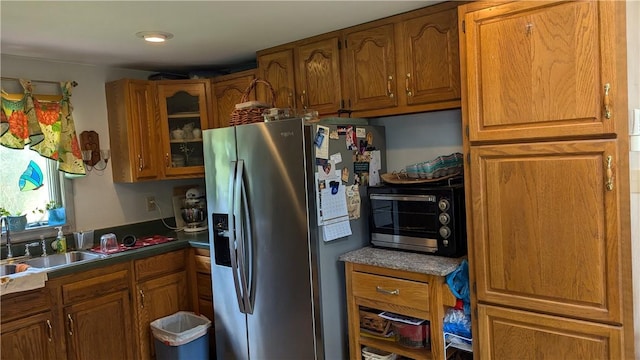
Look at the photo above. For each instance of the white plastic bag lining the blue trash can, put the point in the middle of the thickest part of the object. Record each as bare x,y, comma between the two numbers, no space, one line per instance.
180,328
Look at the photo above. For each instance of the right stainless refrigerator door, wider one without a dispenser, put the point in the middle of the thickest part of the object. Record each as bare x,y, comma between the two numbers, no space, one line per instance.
278,264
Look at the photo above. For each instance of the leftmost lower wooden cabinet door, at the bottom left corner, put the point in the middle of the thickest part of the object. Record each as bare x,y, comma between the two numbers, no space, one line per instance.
29,338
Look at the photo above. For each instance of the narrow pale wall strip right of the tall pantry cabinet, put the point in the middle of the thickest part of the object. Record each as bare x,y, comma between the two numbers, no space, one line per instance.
633,77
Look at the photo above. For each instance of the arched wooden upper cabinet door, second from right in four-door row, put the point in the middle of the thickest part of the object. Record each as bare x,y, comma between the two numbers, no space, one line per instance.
369,71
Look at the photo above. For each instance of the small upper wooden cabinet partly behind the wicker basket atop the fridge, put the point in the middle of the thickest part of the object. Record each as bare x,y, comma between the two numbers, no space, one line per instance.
228,91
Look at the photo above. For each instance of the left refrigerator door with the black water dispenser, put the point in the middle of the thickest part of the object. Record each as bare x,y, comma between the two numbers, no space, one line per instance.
230,323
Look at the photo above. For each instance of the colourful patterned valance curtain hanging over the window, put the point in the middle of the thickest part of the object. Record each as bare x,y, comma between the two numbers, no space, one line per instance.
47,126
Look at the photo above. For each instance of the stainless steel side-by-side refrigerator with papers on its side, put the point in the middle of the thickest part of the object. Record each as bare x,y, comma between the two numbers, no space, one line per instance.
278,287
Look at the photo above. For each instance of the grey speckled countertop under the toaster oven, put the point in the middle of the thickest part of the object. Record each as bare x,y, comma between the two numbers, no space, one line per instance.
402,260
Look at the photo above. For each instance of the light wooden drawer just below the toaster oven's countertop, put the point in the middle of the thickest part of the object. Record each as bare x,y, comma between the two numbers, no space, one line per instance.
391,290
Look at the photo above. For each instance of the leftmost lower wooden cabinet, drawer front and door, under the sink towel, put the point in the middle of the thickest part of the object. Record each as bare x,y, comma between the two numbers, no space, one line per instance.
27,330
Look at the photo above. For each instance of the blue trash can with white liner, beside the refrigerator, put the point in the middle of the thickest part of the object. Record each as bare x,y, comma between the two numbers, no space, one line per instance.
181,336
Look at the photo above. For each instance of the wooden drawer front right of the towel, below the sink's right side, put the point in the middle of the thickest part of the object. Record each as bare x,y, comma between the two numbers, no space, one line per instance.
95,287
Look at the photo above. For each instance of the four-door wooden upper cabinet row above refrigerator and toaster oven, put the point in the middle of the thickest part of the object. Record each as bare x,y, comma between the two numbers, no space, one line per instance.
402,64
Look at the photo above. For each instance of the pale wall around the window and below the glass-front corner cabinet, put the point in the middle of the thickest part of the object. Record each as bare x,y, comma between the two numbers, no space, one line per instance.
99,203
